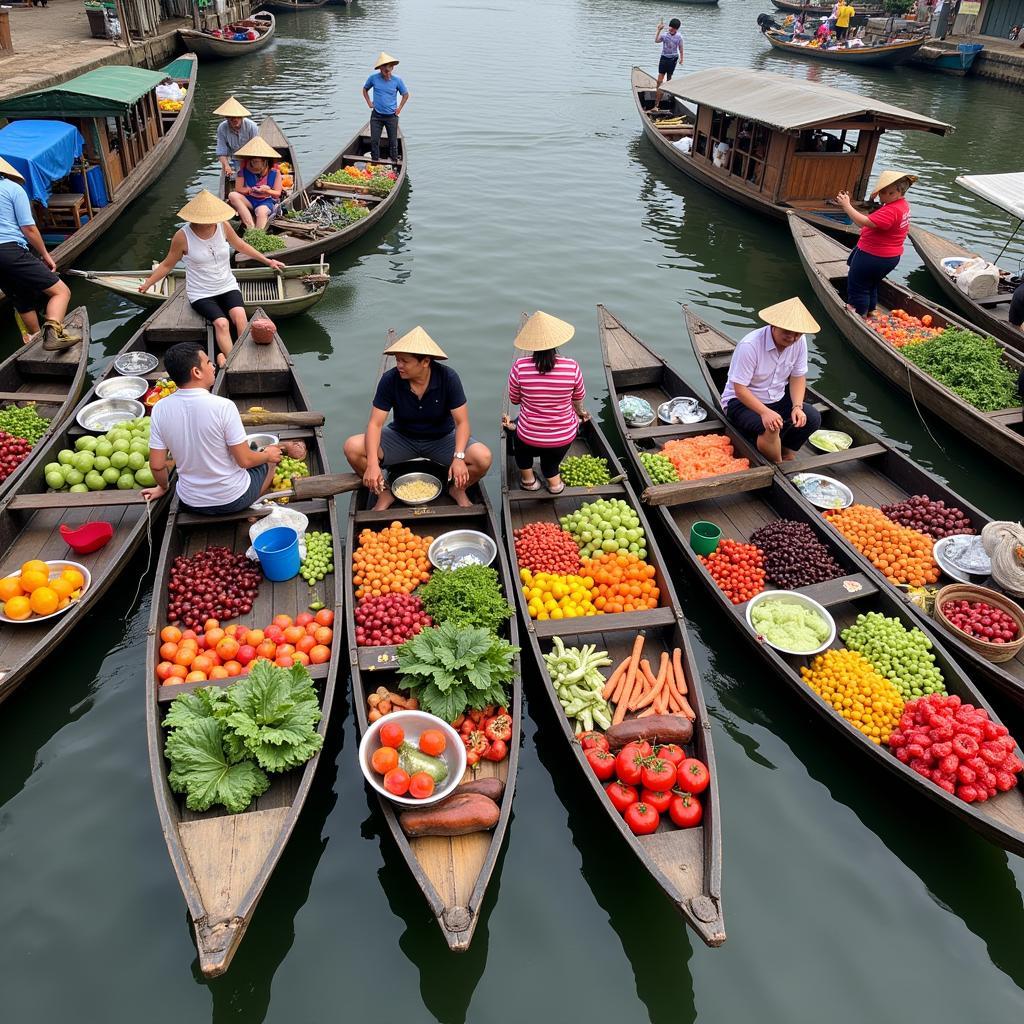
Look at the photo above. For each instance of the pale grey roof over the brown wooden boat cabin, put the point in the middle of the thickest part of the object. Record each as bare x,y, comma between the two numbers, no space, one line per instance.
789,104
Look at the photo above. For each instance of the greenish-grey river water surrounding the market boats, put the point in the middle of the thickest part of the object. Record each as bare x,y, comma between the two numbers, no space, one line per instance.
531,187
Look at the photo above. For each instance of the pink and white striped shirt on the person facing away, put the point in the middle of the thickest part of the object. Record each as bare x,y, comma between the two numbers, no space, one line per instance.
547,418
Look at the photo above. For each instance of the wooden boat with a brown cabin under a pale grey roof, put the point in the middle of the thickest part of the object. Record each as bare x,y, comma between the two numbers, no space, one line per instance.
792,145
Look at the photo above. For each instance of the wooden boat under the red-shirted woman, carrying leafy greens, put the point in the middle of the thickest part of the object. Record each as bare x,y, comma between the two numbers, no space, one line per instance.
1000,435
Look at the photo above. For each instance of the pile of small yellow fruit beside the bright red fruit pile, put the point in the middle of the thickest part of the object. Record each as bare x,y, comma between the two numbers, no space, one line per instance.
847,681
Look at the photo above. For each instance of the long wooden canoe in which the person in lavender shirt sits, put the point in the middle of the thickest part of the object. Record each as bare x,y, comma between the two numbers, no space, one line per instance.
878,475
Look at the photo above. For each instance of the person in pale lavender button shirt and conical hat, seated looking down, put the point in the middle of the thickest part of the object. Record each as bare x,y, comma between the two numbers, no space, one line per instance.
764,396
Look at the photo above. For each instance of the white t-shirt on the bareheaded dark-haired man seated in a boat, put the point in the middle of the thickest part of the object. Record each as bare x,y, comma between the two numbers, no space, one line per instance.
198,429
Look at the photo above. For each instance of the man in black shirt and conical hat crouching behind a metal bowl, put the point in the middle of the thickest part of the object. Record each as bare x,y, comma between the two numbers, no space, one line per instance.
432,421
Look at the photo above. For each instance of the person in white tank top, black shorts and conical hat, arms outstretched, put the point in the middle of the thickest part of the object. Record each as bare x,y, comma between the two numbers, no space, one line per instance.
204,246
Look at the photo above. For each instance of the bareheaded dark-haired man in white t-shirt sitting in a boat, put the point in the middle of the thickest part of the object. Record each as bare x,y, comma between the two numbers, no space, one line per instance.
218,472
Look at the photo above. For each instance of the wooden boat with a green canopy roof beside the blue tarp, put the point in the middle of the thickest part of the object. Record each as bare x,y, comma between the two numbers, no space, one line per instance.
127,136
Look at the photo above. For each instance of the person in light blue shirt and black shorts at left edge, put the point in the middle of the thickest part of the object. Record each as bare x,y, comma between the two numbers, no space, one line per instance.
28,274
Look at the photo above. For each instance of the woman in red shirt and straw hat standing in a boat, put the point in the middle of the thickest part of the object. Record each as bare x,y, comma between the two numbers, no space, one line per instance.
881,244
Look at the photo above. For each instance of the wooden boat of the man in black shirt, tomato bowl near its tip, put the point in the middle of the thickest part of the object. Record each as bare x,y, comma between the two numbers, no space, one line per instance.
453,873
